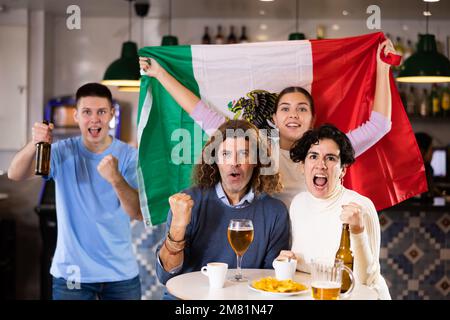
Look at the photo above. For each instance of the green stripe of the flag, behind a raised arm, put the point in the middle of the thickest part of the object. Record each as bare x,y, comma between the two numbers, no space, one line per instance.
161,177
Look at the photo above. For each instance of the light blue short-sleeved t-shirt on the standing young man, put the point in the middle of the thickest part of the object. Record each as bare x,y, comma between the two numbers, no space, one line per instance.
94,235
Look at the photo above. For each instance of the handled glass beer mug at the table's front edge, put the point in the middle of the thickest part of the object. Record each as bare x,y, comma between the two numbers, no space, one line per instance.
326,279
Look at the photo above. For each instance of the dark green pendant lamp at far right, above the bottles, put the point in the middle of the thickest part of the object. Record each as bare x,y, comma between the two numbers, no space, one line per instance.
426,65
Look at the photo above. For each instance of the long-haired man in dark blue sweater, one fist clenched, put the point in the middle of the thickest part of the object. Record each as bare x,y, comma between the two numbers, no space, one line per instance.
231,182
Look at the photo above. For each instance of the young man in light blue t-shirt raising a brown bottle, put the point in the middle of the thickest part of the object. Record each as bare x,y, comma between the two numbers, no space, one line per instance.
96,197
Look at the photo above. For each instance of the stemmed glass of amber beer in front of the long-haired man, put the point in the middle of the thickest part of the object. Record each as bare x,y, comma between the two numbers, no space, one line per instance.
240,236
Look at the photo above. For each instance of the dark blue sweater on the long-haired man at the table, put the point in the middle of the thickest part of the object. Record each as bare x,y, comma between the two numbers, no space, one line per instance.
206,234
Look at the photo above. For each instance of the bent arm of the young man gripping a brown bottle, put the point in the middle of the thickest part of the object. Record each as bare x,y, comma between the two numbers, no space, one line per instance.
22,165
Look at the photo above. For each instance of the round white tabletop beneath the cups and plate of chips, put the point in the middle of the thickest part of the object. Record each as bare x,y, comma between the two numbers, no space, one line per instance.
195,286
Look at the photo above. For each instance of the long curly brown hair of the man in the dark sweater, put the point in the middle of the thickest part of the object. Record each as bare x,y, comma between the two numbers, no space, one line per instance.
206,174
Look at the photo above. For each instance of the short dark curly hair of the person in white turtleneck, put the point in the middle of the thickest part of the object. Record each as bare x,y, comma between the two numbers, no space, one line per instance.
301,147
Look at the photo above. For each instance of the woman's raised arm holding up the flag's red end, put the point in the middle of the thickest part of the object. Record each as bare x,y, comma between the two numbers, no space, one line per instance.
379,123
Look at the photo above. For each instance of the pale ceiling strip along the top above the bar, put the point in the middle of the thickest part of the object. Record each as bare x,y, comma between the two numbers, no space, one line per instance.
277,9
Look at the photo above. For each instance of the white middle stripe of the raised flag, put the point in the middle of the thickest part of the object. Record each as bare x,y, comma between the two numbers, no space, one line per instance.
227,72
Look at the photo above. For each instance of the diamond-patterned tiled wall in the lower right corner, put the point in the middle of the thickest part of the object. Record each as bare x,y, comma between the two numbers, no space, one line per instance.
415,254
